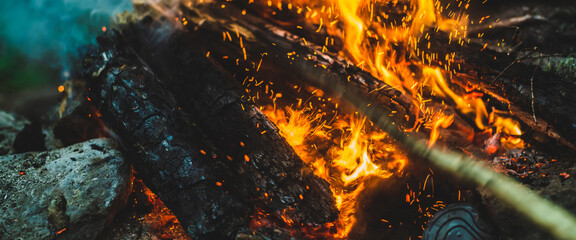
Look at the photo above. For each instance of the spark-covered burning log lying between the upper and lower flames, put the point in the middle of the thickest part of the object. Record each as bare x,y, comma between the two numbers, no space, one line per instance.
252,38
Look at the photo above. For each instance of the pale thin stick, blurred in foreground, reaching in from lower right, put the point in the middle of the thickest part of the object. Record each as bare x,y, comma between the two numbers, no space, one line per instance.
544,213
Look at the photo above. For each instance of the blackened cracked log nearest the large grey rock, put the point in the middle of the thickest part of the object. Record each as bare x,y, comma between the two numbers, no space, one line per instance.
166,147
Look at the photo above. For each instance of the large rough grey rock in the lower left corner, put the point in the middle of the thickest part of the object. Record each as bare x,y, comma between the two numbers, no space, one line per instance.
69,193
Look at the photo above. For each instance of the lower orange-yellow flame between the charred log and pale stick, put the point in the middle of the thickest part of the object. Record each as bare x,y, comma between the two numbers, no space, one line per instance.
347,168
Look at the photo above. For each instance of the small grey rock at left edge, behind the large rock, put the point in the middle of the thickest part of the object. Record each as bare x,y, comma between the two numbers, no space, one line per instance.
10,126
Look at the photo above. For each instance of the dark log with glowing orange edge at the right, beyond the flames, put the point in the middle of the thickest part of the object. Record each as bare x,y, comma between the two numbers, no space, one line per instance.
513,81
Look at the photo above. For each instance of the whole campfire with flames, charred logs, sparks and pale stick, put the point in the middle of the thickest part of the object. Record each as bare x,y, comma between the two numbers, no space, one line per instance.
295,119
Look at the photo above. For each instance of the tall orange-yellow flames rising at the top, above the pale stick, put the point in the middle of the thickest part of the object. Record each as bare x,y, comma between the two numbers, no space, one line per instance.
377,54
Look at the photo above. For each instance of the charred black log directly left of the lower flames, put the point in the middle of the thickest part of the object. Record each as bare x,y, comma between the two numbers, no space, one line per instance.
275,174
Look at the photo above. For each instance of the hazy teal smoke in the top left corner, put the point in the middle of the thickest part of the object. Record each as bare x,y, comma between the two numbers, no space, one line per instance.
52,31
